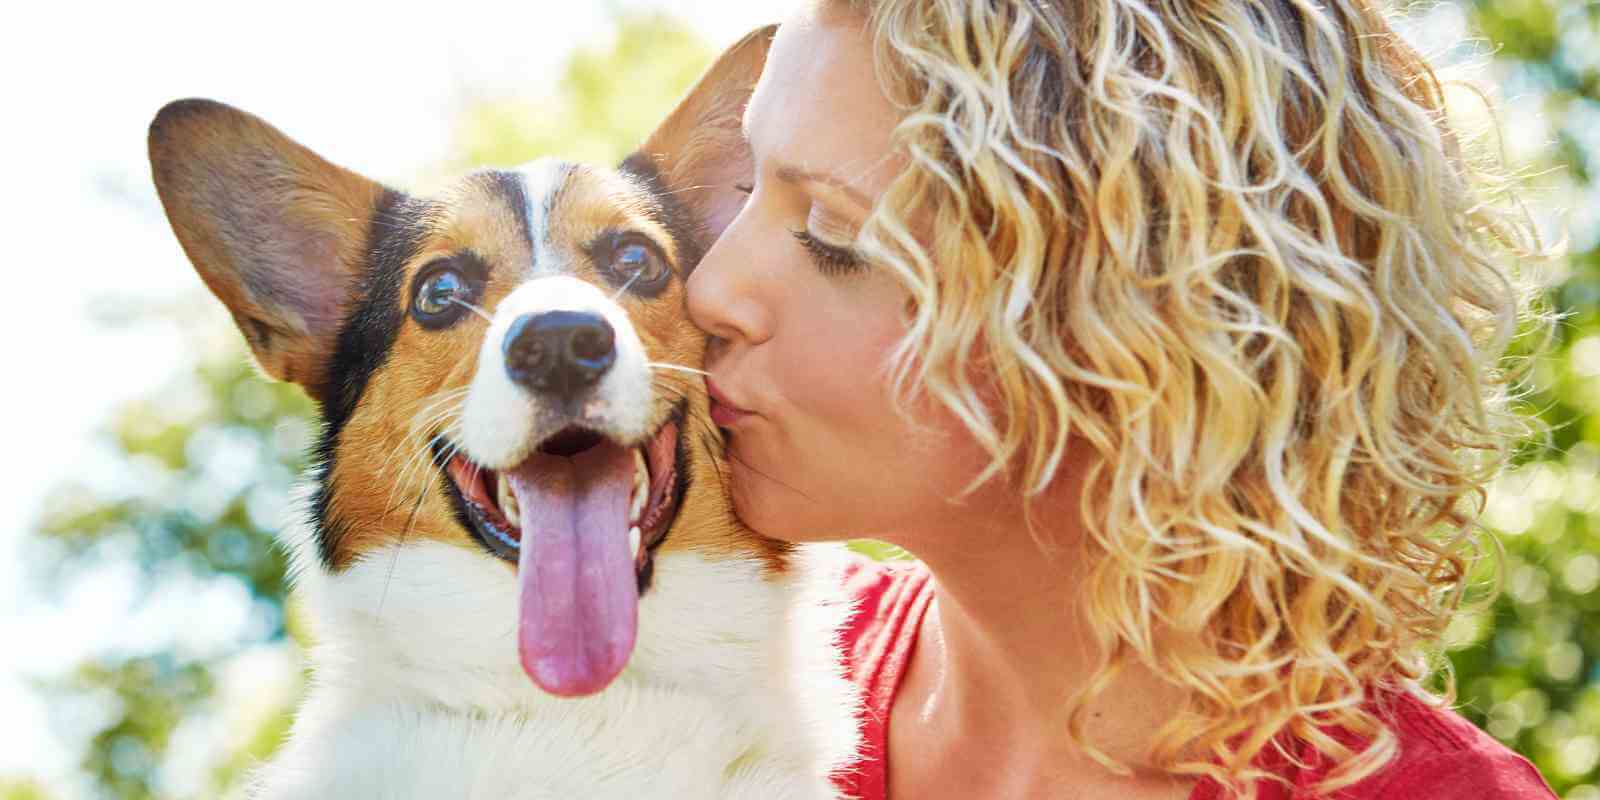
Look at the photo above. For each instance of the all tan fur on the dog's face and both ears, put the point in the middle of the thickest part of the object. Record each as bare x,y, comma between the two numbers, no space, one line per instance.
383,486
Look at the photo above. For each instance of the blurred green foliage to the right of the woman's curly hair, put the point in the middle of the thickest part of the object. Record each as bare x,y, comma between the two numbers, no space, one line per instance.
1530,670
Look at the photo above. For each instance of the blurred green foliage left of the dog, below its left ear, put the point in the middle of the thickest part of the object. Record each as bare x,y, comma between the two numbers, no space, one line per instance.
210,465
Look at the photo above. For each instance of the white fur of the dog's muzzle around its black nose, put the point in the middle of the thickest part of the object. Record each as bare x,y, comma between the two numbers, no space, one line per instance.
503,422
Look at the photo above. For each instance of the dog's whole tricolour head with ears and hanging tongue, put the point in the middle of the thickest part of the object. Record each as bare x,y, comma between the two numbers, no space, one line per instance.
505,369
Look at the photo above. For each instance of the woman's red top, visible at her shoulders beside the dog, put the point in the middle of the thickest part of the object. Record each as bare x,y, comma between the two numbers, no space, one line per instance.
1442,756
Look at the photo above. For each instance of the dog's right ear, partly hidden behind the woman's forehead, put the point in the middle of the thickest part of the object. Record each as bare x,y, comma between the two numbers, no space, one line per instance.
698,153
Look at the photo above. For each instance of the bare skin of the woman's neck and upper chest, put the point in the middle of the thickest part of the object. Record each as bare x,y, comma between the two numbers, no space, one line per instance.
1006,646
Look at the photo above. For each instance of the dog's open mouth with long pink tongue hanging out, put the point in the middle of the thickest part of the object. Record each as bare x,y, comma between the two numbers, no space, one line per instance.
582,518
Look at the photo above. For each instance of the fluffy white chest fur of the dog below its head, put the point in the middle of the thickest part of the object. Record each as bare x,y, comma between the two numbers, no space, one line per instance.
734,692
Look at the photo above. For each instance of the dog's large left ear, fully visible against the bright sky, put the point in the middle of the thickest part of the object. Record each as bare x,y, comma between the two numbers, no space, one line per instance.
274,231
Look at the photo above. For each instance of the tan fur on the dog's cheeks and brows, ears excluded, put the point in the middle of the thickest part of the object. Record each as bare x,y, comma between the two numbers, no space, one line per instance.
382,446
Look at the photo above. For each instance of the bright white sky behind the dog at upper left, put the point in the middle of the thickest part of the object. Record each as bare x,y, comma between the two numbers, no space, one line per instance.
369,86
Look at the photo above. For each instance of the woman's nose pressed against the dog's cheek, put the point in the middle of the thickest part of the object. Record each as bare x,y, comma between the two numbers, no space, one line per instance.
726,297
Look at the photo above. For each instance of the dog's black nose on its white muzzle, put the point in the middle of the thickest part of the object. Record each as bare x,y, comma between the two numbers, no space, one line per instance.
559,353
